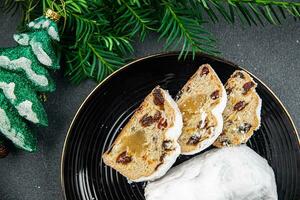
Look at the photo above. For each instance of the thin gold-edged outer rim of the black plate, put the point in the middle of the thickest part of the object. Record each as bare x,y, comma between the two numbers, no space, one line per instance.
168,53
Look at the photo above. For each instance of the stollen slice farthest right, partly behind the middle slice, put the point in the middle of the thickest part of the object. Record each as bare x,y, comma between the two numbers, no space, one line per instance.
242,112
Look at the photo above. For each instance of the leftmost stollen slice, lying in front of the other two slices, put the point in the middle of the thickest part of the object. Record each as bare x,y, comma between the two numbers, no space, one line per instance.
147,146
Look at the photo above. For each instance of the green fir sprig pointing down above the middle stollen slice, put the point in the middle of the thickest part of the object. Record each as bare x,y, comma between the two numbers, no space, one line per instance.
178,26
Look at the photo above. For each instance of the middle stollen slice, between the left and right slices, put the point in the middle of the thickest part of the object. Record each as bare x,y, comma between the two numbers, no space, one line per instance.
201,102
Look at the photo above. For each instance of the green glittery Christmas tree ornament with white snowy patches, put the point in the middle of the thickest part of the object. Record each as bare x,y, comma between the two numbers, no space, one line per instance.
24,73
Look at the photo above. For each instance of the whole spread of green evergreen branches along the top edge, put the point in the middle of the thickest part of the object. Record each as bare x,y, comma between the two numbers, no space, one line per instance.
97,35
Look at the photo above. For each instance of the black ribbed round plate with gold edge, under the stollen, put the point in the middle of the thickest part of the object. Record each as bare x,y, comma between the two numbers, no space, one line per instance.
110,105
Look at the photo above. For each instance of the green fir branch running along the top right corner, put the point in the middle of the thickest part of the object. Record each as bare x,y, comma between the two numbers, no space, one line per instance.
248,11
